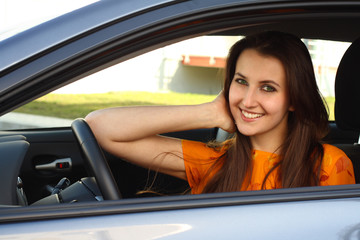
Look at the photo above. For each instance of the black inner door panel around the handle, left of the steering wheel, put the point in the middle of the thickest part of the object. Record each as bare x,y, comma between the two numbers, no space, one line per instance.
45,146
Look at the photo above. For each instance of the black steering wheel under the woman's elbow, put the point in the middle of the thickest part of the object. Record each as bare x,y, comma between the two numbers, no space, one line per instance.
96,160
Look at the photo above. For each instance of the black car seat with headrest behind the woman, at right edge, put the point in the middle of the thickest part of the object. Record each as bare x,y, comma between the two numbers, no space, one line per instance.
347,94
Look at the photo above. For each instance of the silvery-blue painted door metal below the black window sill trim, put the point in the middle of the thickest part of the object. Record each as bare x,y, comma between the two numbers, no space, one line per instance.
291,220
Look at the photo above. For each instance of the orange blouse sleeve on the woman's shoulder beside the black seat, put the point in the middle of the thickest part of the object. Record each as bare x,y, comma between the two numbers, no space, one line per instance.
337,168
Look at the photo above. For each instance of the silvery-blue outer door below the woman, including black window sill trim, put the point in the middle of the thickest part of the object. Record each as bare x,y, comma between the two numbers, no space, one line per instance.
303,213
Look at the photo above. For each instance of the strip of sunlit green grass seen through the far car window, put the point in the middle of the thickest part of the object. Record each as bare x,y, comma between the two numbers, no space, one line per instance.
79,105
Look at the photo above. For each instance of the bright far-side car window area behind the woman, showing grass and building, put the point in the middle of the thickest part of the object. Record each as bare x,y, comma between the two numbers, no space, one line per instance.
188,72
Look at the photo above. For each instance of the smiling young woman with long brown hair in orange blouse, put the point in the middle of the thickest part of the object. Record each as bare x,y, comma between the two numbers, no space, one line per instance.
272,104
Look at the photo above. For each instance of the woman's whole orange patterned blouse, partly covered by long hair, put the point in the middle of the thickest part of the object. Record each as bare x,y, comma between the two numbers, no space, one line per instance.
336,167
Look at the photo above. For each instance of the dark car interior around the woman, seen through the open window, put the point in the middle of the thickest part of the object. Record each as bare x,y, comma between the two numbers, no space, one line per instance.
52,165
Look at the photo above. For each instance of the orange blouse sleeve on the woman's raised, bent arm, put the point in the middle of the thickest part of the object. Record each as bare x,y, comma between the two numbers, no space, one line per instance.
198,159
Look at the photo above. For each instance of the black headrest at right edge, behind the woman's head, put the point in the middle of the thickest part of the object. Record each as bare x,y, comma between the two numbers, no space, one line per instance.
347,89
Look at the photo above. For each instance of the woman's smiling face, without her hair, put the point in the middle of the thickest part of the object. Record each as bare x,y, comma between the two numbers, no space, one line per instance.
258,96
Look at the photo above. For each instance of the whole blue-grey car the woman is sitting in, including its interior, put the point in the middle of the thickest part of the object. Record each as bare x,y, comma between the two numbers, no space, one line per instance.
58,183
